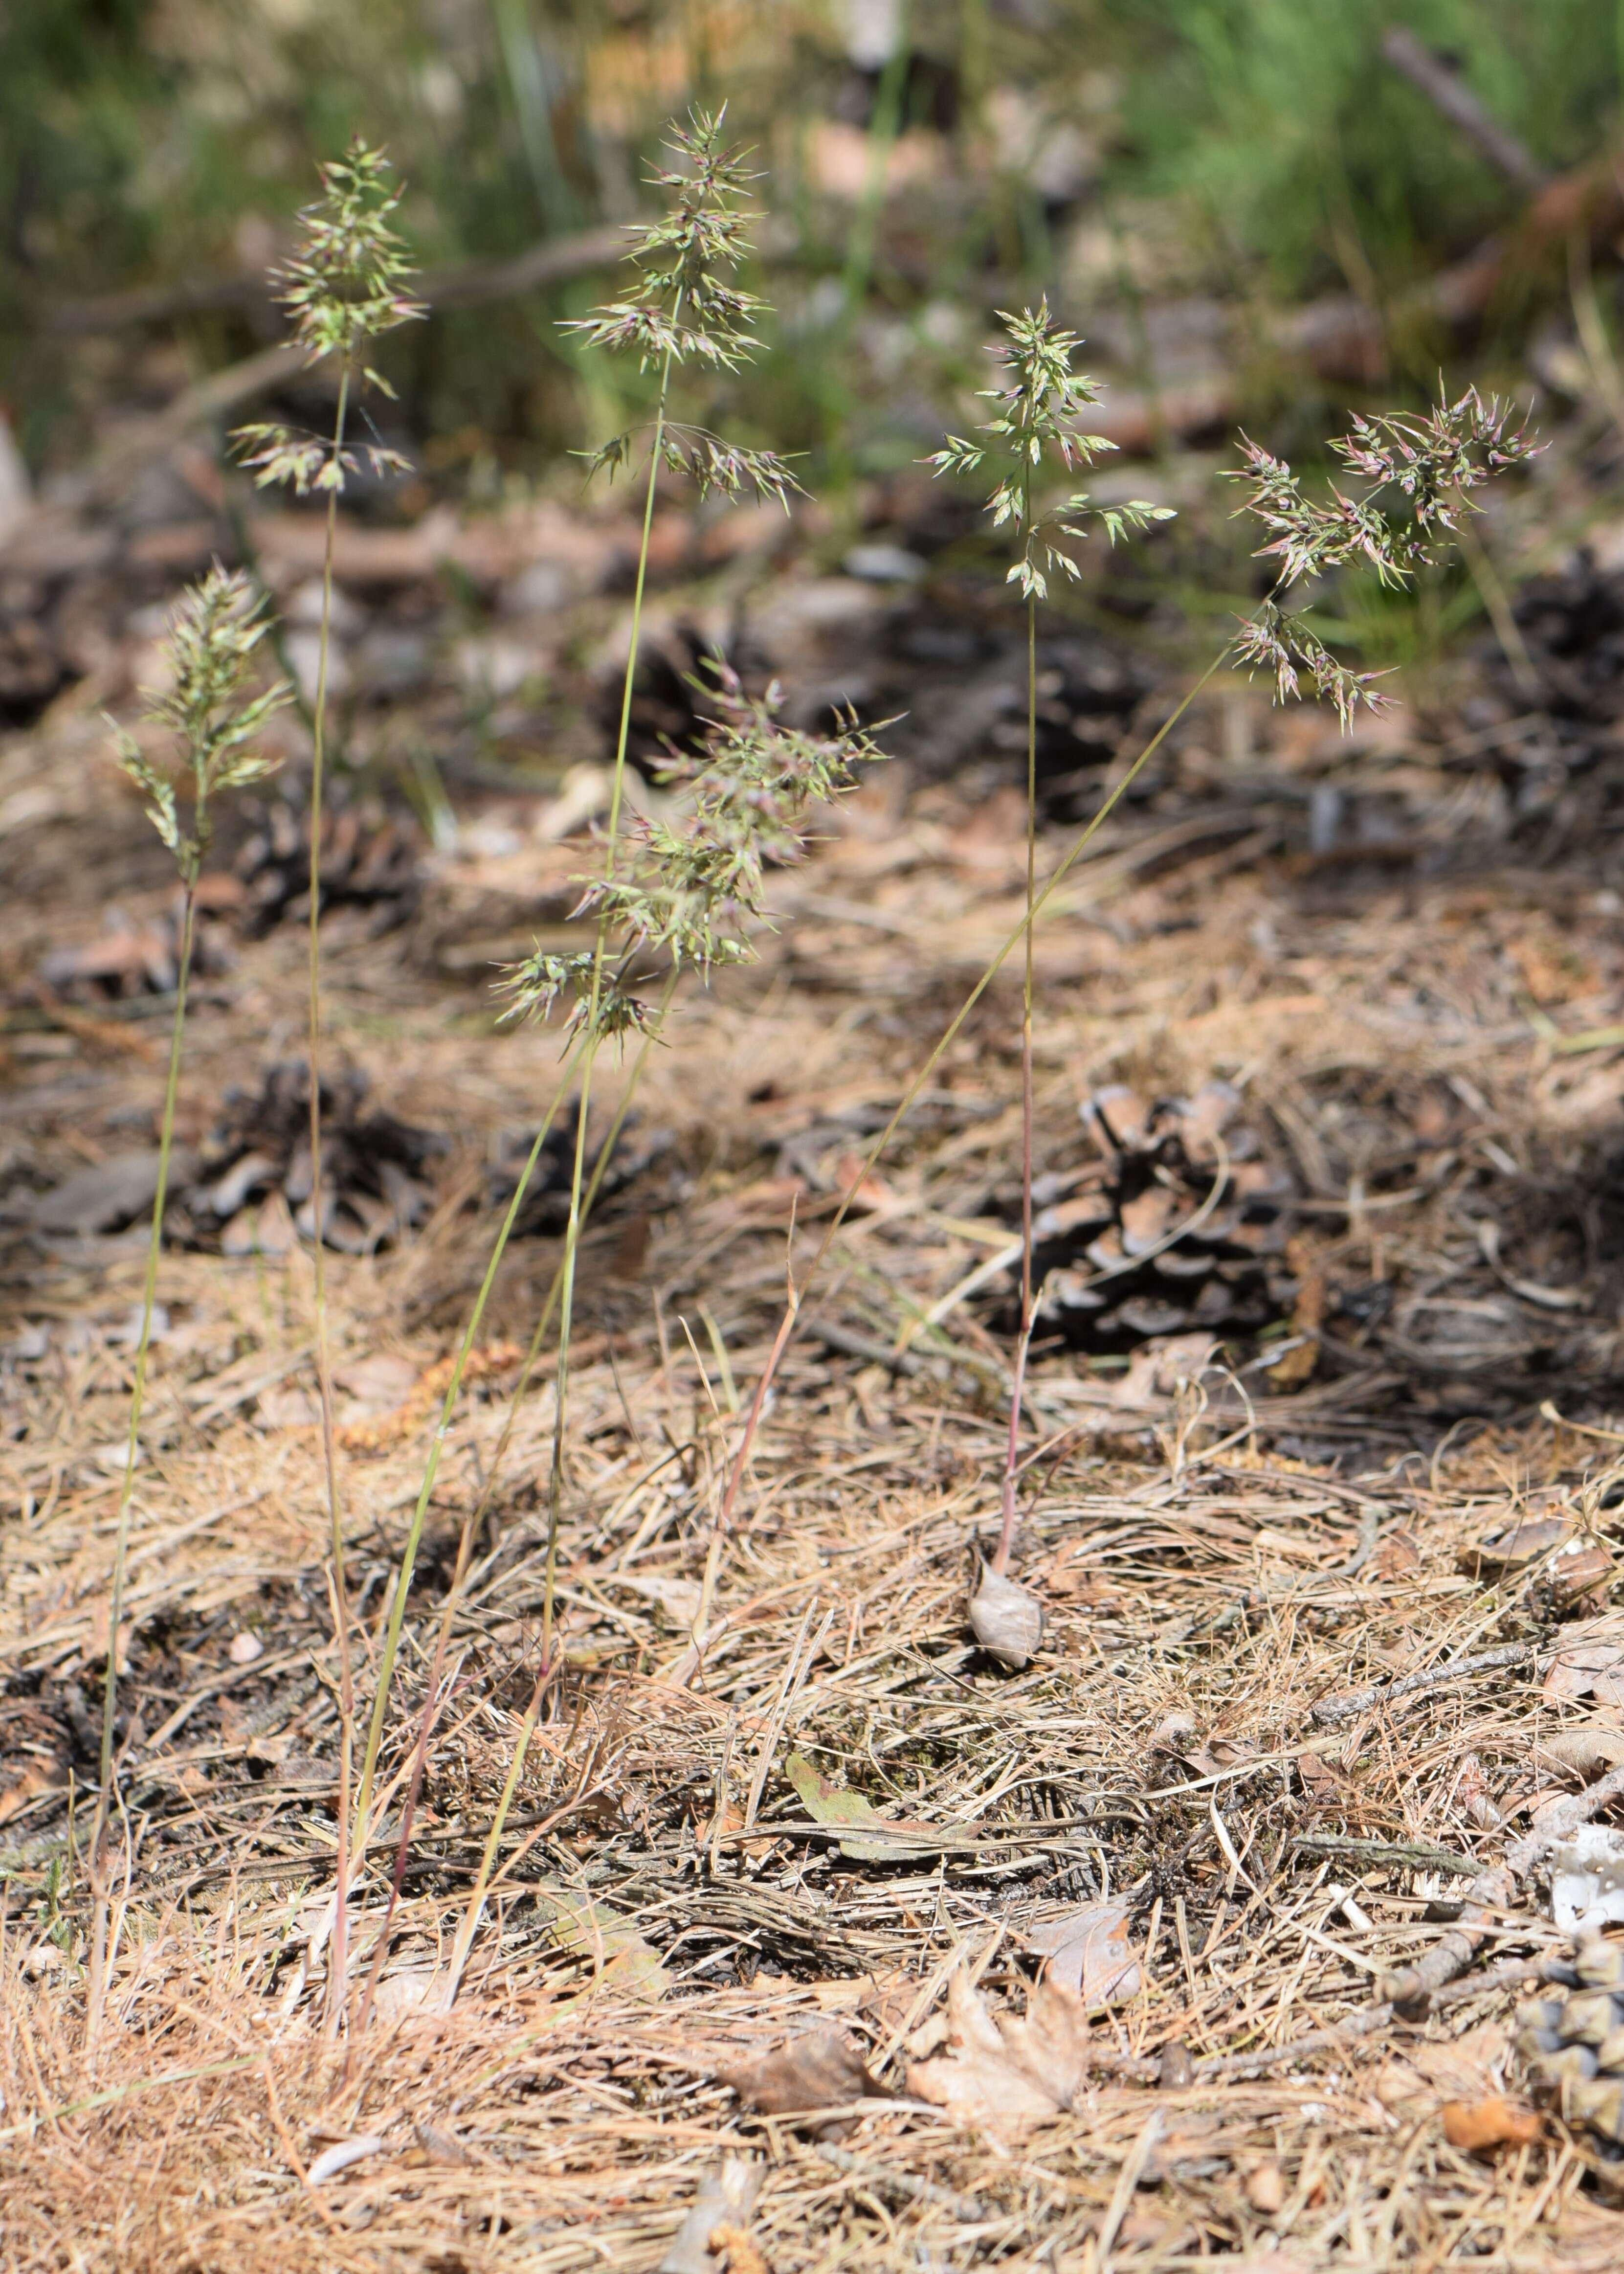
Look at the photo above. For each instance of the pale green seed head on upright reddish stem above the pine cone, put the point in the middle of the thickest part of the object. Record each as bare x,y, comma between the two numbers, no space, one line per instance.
1041,404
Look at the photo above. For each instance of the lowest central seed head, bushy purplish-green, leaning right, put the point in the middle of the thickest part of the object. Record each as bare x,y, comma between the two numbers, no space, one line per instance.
695,888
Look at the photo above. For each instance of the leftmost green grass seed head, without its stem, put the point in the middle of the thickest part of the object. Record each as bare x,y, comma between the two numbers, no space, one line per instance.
213,649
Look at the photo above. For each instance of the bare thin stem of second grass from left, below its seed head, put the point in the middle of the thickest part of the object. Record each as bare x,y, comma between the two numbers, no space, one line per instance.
320,1254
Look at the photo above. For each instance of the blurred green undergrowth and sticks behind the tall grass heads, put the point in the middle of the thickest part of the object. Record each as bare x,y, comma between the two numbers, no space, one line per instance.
1157,165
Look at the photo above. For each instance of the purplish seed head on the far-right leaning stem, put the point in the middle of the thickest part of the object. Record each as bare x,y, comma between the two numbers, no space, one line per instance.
1425,465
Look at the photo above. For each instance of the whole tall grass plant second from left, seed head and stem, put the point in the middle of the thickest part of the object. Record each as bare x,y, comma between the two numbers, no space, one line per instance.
345,288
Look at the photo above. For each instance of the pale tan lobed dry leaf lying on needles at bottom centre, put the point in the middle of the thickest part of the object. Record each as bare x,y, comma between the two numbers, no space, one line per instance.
1006,2073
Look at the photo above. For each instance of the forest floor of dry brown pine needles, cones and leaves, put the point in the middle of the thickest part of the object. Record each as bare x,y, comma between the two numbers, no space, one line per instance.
818,1939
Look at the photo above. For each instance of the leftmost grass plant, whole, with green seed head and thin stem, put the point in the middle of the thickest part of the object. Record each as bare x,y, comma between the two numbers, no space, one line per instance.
210,713
